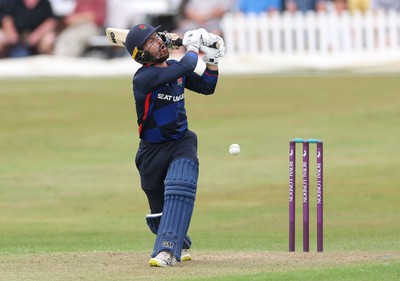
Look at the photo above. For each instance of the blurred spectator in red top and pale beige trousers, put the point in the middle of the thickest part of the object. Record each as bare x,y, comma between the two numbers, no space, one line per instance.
85,21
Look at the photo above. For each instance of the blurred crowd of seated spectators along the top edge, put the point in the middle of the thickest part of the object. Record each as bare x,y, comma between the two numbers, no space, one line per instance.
65,27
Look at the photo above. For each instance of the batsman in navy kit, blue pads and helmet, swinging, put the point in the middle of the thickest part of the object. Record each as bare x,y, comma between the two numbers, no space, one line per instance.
167,154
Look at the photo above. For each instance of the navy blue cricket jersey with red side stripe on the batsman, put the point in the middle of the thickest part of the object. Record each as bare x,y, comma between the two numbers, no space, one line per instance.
160,99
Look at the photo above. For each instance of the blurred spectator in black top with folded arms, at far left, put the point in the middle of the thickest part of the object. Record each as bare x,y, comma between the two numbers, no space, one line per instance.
28,28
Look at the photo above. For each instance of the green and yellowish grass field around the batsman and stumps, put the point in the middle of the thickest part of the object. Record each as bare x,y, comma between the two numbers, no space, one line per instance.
68,183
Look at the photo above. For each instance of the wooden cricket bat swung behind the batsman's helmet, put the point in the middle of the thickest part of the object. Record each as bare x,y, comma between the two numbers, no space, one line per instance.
117,37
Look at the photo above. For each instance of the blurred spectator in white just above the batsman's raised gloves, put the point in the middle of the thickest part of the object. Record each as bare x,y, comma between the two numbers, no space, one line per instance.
207,14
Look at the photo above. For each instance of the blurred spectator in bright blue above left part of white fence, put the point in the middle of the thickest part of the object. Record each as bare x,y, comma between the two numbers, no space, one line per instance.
259,6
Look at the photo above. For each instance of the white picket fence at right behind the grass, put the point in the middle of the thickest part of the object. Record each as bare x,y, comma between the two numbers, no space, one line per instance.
312,33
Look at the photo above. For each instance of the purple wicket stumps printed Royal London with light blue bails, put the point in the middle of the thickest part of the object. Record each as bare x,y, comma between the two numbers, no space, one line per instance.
292,193
